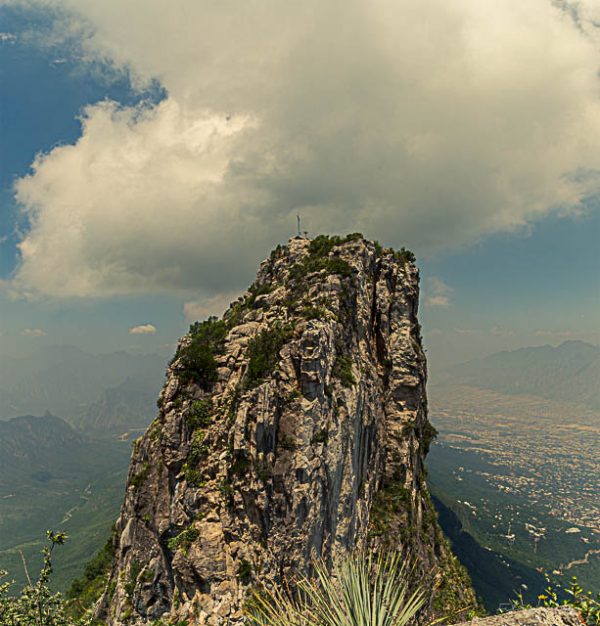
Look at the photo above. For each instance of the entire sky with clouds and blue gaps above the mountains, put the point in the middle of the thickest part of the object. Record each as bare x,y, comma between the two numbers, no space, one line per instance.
152,153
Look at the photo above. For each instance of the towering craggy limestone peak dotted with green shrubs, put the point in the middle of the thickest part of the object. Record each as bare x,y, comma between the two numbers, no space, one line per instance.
293,429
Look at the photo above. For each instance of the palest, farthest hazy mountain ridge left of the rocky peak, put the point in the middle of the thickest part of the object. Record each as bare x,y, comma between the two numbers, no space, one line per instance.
105,392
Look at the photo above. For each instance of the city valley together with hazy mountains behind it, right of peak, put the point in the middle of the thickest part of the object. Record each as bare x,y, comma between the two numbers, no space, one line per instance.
522,471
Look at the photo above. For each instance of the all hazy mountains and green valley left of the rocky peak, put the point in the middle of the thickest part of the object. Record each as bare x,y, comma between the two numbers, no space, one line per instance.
68,474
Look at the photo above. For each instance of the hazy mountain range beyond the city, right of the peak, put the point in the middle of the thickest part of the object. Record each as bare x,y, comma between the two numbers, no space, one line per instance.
569,372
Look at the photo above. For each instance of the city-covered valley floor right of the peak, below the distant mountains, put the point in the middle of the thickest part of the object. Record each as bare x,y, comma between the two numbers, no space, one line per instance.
522,476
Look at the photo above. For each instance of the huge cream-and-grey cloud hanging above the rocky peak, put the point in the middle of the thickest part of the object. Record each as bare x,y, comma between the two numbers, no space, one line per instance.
429,125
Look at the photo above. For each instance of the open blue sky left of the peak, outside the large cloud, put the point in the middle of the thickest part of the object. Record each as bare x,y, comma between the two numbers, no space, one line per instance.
44,90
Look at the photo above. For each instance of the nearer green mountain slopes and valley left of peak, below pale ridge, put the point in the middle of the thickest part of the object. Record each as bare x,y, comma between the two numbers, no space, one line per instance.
54,477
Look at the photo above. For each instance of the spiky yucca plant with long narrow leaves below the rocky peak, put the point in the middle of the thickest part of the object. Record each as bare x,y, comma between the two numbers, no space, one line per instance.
359,591
